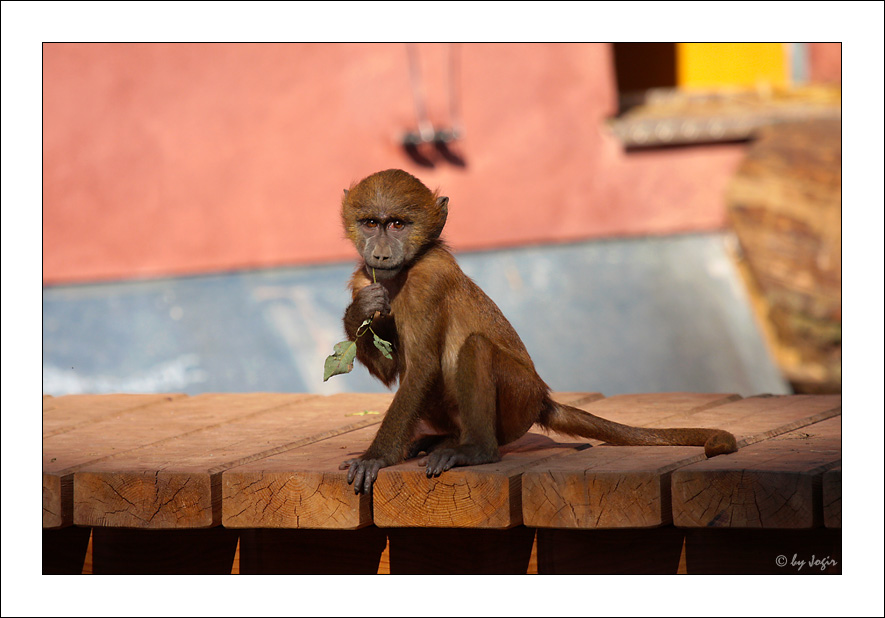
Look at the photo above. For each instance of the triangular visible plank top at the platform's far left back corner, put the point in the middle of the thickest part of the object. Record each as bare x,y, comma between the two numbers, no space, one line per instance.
62,414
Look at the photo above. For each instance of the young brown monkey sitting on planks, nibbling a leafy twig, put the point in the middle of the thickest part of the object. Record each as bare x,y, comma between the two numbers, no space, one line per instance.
461,366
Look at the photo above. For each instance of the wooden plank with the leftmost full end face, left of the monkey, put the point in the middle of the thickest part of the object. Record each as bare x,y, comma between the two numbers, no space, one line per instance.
176,483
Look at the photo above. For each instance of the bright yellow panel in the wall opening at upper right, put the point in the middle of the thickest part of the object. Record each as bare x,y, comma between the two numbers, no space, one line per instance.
701,65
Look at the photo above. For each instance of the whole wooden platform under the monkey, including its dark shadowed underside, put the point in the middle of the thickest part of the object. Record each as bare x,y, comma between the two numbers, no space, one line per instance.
249,483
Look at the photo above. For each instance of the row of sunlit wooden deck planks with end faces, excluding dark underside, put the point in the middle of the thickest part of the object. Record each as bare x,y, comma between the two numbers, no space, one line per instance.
254,461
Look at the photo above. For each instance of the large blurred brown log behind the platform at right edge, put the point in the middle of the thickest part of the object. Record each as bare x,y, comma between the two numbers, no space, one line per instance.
785,206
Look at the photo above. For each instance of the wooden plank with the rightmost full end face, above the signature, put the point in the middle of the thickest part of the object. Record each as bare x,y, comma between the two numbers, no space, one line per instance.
773,484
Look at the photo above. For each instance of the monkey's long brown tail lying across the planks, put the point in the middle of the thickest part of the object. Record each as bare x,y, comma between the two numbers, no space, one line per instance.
575,422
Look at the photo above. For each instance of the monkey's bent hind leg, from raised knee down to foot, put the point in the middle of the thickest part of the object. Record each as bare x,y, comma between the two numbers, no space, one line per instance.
475,391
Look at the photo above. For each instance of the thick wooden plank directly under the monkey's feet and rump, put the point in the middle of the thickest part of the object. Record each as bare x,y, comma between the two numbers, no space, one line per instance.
486,496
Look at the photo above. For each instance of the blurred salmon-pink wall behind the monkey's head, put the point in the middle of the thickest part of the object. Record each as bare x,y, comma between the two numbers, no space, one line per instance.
166,159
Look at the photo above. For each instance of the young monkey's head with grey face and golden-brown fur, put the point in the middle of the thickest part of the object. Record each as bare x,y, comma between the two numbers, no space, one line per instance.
390,217
